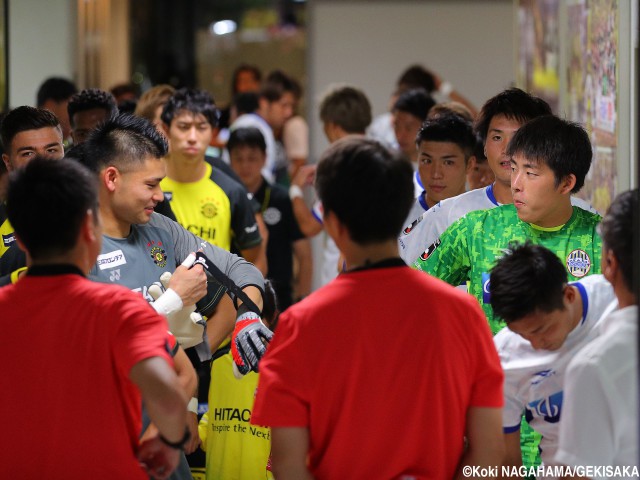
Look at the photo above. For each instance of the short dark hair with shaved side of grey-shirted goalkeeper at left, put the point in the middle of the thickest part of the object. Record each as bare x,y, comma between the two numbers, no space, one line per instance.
124,141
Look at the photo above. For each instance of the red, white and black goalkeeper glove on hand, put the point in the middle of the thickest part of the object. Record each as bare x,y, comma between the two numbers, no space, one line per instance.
248,342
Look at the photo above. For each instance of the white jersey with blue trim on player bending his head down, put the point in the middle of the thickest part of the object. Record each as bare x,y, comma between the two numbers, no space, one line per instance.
534,378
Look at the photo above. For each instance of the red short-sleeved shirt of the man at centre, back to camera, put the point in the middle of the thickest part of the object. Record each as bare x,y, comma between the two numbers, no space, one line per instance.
381,365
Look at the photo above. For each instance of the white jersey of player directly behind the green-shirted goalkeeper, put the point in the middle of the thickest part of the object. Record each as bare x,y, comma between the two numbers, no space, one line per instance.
424,231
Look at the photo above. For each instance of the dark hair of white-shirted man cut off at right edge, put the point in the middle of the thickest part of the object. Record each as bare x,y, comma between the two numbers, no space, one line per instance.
620,236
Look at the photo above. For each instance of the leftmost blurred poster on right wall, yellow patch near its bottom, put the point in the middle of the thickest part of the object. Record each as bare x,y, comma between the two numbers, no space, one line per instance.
539,49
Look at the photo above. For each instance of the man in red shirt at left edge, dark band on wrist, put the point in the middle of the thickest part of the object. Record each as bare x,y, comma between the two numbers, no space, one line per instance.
104,347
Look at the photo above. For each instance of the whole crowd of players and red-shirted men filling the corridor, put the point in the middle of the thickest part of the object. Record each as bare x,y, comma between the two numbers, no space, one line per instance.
474,312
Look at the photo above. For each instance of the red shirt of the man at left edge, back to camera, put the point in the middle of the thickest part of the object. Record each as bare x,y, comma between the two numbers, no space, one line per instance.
69,409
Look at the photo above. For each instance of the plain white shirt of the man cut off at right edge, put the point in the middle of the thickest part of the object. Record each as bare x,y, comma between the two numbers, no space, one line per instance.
600,420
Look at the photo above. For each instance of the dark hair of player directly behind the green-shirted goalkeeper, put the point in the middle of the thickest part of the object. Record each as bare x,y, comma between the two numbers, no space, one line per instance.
514,104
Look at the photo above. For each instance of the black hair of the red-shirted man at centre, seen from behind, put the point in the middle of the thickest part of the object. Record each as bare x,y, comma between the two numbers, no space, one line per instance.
367,187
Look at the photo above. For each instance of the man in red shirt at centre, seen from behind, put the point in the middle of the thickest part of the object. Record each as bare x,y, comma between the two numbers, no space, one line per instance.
320,392
